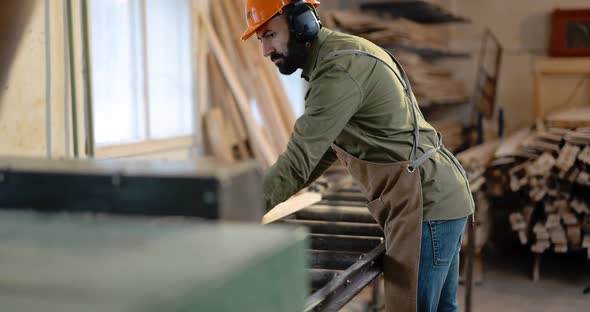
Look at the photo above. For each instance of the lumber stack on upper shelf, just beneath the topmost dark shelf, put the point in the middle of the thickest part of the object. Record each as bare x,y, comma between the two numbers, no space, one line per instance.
388,32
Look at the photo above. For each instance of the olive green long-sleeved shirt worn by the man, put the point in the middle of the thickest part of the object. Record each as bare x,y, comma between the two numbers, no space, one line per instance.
358,103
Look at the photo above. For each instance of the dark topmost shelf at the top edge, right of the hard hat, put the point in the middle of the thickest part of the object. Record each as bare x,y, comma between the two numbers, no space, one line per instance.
419,11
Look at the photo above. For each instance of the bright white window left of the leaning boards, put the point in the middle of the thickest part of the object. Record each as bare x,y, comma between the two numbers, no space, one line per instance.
142,70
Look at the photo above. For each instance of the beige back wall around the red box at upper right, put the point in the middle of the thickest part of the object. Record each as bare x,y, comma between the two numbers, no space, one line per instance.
523,28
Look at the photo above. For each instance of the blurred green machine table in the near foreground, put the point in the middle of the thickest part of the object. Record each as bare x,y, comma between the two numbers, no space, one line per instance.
69,262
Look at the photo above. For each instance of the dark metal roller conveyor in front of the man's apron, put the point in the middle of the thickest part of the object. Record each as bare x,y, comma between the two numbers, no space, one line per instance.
346,248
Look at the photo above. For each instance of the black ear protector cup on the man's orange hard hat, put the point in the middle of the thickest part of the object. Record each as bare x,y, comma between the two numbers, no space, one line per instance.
303,21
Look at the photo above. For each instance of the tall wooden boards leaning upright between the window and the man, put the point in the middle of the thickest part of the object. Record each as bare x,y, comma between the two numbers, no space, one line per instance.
241,81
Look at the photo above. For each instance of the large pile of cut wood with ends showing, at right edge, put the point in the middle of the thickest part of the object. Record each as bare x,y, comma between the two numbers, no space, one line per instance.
549,172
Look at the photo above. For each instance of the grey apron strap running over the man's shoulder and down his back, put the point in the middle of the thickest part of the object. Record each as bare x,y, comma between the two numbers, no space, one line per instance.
407,88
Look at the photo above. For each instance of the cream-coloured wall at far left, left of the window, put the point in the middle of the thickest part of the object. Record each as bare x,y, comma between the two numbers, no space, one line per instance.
33,96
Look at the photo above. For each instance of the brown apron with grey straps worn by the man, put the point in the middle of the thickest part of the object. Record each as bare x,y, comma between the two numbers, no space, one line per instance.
394,191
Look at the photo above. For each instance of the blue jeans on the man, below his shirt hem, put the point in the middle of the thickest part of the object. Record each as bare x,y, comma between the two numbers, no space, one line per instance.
438,275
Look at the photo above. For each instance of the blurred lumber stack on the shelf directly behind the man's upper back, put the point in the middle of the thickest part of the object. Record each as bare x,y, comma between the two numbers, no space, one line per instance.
432,84
